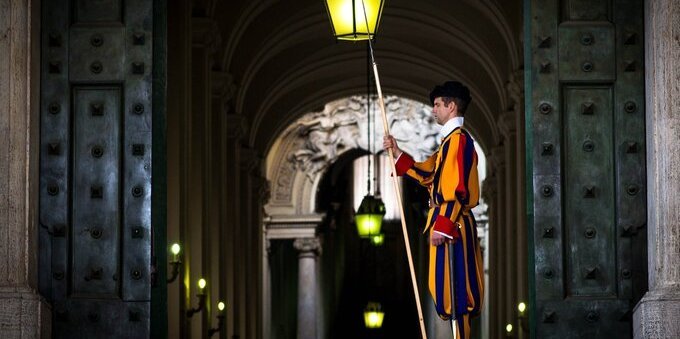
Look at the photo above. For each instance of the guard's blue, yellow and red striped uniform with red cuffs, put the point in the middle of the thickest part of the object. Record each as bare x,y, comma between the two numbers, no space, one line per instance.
451,177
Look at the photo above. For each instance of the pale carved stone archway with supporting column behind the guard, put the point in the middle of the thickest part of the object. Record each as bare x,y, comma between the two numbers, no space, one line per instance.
295,166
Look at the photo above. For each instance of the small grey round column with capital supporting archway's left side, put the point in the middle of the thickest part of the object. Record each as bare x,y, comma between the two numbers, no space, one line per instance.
309,249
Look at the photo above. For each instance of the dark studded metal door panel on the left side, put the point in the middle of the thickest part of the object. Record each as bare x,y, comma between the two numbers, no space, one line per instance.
95,168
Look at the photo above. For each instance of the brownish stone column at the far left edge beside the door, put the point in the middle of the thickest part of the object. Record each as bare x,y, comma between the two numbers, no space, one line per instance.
23,313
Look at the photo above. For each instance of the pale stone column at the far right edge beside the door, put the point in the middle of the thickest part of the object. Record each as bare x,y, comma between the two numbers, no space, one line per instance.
657,315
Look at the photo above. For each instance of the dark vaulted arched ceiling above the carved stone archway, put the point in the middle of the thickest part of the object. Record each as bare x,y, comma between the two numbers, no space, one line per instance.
285,62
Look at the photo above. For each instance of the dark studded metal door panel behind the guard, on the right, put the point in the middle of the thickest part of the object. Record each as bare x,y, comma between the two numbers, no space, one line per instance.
586,138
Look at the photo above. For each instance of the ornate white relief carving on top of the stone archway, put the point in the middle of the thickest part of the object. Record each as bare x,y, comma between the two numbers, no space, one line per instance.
342,125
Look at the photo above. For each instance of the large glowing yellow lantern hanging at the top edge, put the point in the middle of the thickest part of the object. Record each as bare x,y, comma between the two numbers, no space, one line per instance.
348,19
